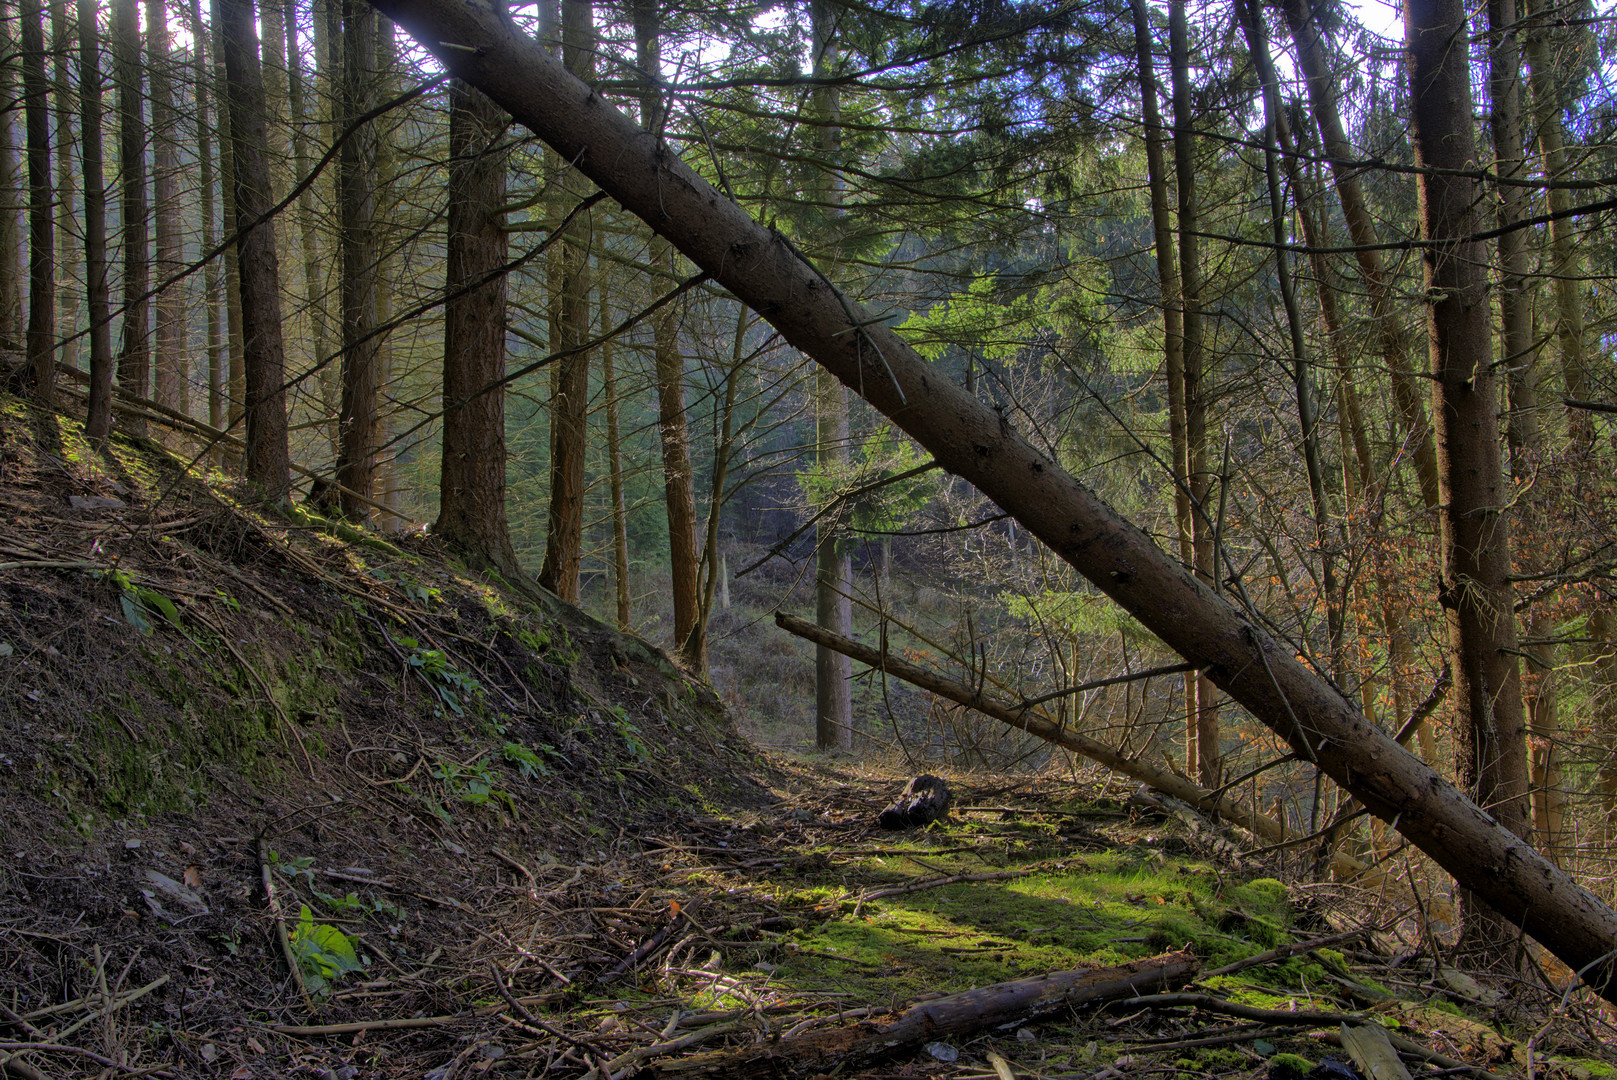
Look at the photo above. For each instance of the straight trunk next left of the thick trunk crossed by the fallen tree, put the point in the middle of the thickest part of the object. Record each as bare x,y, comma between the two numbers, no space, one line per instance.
360,411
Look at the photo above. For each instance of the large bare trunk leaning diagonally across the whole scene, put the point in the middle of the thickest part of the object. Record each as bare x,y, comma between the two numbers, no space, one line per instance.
762,268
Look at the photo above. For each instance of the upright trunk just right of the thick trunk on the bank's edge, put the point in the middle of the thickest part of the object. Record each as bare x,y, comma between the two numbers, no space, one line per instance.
570,331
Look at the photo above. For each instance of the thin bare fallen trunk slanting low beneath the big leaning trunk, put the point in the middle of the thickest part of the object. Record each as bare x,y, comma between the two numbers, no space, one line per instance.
1037,724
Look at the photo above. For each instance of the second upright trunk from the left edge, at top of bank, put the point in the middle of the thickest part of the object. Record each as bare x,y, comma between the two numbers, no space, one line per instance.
41,211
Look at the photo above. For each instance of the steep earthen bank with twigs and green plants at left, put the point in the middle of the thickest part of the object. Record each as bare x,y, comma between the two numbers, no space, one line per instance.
182,675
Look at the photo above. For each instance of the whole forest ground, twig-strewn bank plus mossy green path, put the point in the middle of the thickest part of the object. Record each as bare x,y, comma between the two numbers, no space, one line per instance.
284,799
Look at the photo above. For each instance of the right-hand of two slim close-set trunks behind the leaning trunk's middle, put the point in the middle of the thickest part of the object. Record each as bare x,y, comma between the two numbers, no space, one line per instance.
1202,751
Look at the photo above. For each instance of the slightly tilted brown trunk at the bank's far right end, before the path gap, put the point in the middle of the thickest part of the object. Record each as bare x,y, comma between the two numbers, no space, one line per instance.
678,476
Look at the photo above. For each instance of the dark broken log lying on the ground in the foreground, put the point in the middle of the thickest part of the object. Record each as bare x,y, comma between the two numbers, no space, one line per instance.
958,1016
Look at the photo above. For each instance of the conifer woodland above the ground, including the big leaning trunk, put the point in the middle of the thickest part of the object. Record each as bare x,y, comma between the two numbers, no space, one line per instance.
1217,394
